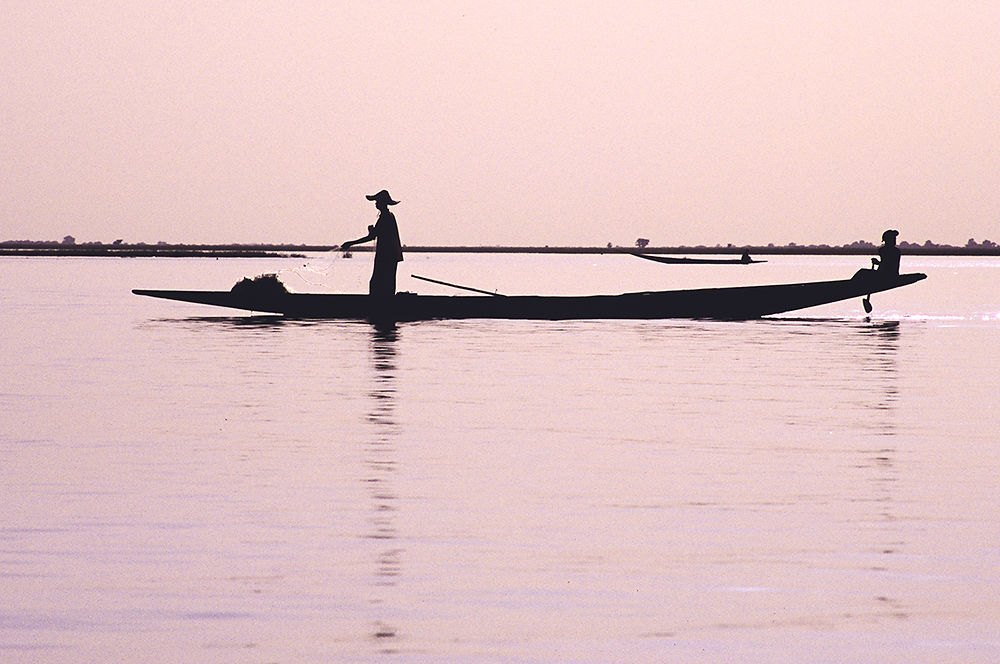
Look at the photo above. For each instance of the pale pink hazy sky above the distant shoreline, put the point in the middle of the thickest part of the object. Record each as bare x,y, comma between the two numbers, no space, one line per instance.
562,123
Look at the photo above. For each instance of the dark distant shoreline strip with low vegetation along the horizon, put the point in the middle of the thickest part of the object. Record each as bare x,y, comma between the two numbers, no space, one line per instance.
68,247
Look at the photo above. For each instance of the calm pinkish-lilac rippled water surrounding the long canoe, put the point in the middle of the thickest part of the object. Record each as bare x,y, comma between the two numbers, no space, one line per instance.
185,485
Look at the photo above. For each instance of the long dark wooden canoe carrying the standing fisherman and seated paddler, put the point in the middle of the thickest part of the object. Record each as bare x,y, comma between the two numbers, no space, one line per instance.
735,303
